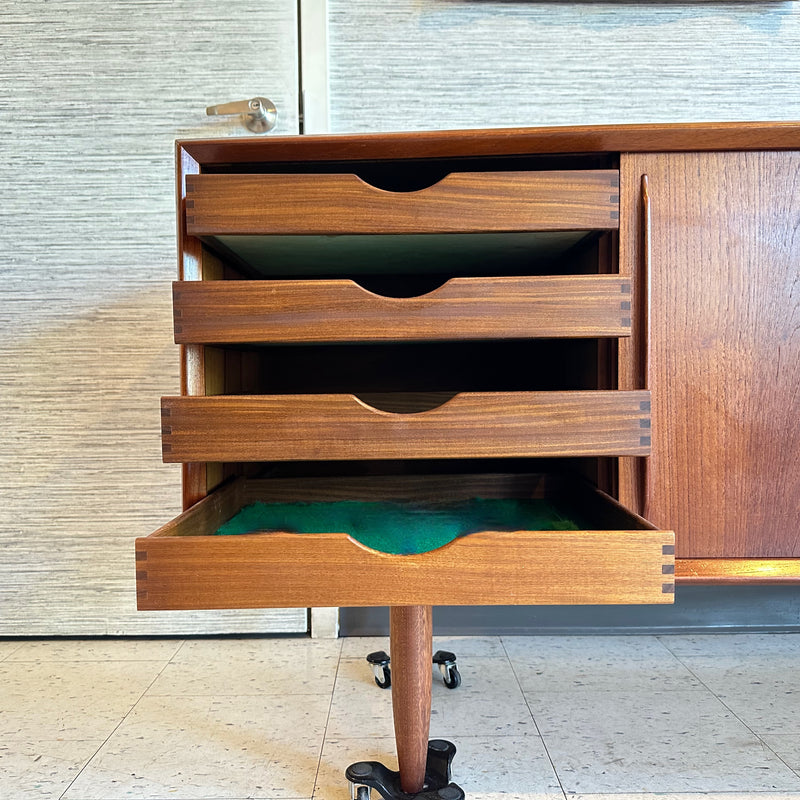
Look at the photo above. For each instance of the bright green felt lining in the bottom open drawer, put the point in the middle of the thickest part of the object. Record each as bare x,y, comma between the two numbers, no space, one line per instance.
400,528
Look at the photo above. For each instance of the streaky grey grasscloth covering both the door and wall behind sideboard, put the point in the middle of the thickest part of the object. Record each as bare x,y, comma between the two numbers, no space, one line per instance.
91,97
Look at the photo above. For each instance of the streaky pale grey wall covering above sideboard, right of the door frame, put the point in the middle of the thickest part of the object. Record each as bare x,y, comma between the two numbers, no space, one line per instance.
415,64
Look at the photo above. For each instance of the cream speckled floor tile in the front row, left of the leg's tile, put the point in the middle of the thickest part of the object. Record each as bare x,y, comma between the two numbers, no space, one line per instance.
200,747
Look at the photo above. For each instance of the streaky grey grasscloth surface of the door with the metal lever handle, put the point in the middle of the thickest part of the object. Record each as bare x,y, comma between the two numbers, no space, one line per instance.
92,95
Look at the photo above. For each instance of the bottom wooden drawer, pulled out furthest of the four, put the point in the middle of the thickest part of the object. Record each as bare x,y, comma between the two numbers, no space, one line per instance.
613,556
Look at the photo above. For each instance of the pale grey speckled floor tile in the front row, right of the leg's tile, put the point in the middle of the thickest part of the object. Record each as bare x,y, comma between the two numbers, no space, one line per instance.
633,742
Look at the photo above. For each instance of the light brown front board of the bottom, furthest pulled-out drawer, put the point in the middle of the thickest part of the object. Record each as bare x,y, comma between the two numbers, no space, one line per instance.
278,570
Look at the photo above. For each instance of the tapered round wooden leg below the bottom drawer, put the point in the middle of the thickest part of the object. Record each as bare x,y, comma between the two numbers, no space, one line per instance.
411,629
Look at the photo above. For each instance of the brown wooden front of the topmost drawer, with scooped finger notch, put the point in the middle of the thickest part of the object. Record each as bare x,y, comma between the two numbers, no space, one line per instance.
331,204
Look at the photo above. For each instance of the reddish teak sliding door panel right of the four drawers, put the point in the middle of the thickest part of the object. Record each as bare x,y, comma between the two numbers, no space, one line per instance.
724,357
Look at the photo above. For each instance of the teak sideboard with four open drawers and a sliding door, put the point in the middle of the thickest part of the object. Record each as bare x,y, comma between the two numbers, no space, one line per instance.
607,315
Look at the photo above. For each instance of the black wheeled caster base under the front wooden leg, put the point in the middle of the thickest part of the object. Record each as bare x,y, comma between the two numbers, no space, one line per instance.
386,782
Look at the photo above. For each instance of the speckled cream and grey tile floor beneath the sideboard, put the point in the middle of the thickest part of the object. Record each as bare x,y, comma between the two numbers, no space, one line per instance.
536,718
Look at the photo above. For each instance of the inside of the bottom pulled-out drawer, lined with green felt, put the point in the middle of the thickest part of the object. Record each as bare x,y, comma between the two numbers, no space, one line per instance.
386,505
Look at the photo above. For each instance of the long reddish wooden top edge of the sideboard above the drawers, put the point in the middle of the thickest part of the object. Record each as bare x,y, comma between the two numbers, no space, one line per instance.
672,137
